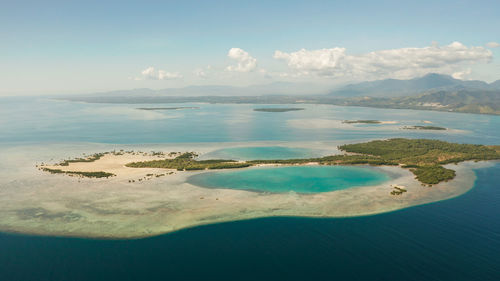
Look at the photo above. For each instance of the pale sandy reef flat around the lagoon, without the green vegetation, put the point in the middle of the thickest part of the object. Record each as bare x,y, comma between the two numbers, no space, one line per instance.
35,202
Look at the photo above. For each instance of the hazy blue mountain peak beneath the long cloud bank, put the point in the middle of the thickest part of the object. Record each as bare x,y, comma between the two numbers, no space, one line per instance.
398,88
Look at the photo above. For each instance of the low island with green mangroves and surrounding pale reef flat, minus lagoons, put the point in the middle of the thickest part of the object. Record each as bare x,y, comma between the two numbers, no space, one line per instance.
157,198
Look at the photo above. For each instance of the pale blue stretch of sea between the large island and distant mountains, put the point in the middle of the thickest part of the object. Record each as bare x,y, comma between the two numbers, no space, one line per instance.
41,120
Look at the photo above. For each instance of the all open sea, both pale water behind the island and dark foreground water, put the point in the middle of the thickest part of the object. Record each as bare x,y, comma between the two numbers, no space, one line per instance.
456,239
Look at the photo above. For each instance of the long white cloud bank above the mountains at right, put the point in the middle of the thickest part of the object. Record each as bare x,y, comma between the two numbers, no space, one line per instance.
404,62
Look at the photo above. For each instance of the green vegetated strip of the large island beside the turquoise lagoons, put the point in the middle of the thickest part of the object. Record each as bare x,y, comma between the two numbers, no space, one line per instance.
424,158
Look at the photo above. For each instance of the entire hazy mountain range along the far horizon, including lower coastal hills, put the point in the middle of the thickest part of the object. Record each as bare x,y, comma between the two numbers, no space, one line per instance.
430,92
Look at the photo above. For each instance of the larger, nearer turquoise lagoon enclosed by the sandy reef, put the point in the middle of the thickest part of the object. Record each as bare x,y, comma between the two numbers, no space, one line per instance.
301,179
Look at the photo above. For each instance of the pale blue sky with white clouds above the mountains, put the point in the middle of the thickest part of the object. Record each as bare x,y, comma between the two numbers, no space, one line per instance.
68,47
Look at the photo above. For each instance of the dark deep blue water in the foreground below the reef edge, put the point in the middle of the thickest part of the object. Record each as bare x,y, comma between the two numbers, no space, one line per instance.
457,239
